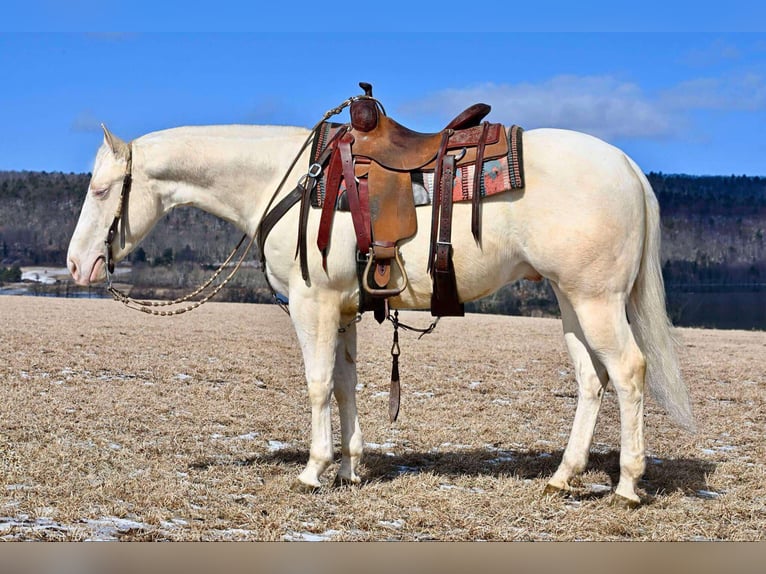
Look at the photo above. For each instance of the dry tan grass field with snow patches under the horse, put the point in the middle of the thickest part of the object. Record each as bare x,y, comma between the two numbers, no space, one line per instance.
119,425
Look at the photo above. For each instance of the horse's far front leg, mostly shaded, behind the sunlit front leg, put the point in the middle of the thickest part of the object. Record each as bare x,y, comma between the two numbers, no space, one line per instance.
345,393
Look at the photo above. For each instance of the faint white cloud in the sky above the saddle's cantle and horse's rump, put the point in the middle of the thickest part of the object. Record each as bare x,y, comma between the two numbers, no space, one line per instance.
602,105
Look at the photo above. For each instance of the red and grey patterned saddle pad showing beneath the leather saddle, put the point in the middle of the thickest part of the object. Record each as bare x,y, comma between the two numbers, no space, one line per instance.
498,174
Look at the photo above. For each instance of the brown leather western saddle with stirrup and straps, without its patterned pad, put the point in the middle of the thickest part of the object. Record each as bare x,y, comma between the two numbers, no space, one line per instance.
375,157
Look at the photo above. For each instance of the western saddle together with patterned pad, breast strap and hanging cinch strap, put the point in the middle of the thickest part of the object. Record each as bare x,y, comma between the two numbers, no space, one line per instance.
370,167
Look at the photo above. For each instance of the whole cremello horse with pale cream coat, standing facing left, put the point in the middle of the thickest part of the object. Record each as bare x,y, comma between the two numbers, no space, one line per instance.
587,221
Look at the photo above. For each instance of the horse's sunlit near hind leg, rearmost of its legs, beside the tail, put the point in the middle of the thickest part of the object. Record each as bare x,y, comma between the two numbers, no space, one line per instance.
605,326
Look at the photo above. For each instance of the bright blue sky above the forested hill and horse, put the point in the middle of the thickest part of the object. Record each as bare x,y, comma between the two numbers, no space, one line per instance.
678,102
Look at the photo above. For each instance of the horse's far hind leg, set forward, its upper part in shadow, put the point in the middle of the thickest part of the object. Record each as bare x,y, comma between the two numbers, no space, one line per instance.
591,380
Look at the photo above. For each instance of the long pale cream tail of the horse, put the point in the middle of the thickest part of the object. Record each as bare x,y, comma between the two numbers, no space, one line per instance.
649,319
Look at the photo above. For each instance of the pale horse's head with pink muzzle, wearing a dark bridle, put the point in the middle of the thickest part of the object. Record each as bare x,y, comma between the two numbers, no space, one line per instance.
87,256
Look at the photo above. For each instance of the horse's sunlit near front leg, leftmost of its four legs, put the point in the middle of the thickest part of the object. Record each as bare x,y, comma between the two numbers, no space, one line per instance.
316,317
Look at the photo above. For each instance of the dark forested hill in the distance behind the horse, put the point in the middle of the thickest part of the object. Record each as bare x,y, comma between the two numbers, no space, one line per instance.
713,227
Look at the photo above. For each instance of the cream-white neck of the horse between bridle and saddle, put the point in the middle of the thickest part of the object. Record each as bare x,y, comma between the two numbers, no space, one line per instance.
229,171
